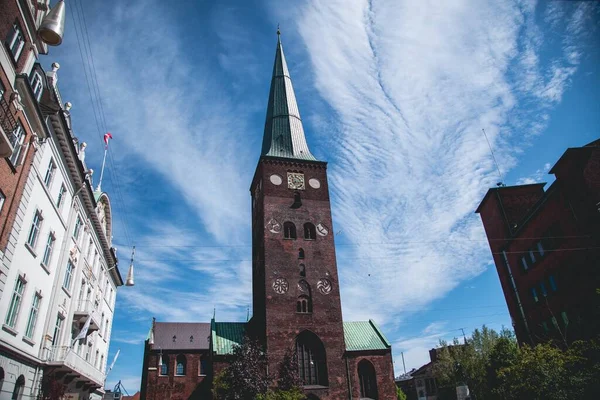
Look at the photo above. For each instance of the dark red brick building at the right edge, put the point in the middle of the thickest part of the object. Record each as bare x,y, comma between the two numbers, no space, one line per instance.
546,246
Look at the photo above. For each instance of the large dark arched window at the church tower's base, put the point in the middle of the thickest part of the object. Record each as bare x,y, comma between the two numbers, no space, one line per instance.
312,366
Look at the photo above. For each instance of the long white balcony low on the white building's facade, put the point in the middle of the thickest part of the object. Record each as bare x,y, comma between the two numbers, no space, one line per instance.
69,365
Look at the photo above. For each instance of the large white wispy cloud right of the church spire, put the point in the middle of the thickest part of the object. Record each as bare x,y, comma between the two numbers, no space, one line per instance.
412,87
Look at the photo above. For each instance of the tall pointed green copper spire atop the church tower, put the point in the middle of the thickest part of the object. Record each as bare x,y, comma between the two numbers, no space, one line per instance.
284,134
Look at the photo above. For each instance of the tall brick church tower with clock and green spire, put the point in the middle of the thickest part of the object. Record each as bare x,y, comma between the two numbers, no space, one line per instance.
296,297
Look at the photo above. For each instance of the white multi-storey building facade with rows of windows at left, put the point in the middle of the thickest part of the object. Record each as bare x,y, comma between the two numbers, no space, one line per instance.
61,270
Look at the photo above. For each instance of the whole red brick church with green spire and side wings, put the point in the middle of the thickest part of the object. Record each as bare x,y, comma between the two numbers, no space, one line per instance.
295,283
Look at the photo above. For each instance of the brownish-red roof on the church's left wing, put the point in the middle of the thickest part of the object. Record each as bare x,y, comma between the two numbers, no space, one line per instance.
181,335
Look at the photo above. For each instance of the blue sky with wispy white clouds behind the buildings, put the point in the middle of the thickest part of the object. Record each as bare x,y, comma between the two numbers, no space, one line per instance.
393,94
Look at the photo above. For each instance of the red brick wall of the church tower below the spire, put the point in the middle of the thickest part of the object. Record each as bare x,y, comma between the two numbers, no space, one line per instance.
280,321
